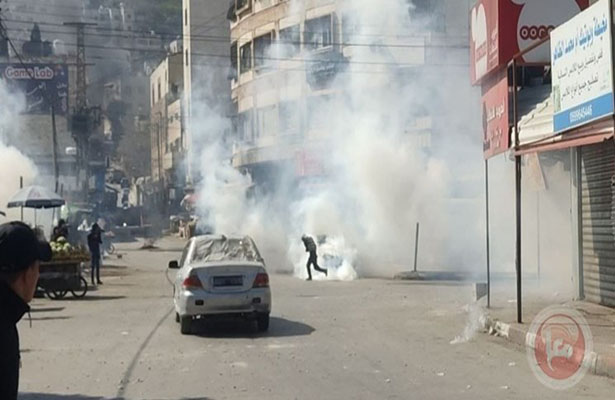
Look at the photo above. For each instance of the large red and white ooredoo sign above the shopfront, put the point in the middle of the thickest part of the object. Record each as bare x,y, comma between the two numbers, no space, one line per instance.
502,28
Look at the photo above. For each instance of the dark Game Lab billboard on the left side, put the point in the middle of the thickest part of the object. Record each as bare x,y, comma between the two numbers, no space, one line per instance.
40,84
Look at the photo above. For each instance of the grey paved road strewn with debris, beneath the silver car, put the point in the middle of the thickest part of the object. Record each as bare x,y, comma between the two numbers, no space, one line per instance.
367,339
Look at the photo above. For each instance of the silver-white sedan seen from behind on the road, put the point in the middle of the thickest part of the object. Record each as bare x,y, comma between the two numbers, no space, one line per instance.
221,276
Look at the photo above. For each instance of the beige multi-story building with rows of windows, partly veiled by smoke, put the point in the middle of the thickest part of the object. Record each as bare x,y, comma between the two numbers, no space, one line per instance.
284,59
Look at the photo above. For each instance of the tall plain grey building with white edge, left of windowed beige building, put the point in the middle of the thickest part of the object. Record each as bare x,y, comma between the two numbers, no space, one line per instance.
206,68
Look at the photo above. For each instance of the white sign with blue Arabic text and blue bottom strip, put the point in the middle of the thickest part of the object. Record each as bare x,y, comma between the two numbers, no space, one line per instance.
582,70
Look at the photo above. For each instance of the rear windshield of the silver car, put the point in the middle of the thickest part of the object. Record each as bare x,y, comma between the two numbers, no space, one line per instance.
225,249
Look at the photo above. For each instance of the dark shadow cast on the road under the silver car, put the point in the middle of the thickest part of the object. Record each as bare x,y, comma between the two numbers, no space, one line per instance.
278,327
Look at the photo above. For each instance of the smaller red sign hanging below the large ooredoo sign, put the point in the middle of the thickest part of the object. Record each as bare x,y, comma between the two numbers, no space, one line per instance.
496,135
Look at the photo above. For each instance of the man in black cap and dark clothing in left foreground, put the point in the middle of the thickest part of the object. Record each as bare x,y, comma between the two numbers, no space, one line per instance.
20,253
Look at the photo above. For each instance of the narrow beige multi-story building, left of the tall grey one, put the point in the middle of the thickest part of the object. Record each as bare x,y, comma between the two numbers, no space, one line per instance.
167,137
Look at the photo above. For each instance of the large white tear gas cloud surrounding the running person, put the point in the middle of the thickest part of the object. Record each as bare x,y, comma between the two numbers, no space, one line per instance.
378,180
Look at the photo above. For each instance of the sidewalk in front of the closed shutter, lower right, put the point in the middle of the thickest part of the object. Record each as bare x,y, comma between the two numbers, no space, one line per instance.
501,321
